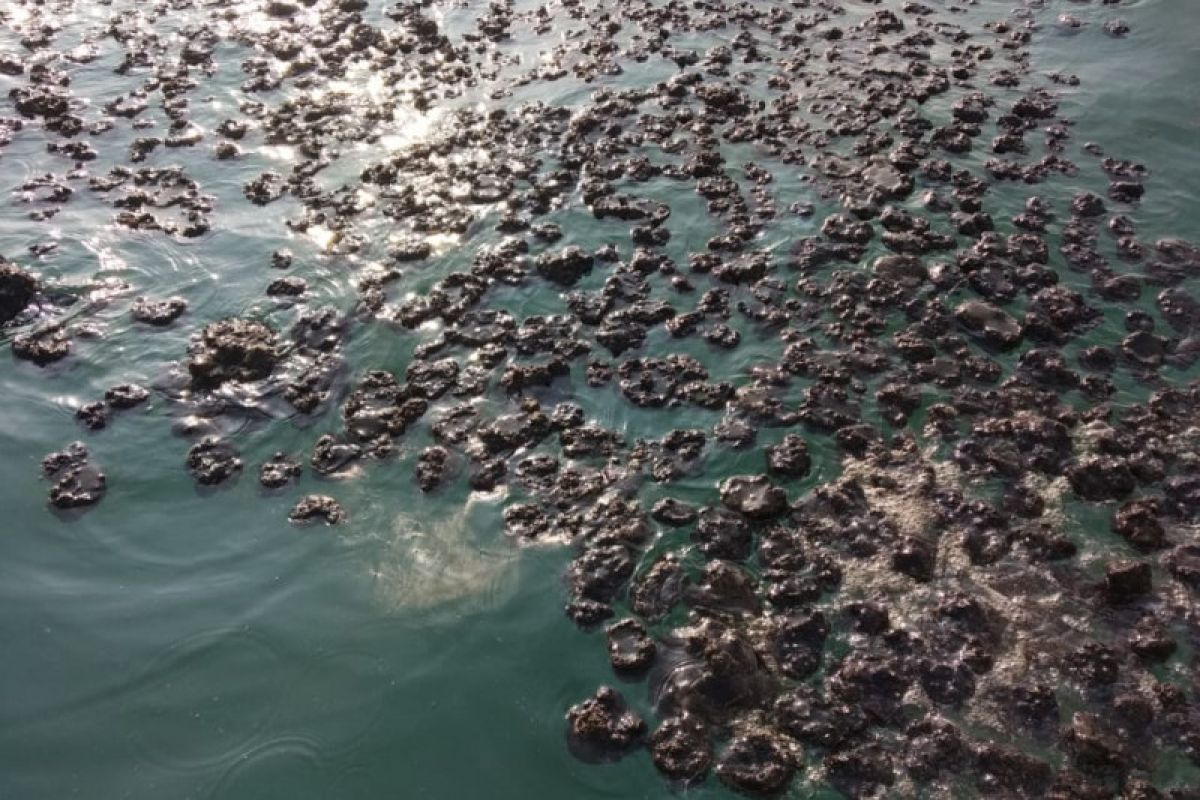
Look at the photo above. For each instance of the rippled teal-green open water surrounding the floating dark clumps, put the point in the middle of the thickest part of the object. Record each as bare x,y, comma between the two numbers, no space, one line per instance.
183,643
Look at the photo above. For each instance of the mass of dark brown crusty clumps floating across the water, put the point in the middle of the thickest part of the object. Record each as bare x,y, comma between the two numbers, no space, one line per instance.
925,622
